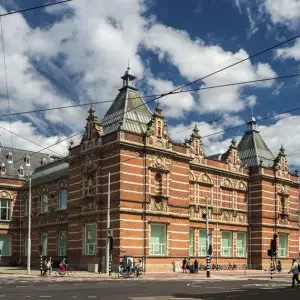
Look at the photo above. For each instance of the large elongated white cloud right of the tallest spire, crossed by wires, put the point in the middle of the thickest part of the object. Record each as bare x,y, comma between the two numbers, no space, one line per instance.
195,59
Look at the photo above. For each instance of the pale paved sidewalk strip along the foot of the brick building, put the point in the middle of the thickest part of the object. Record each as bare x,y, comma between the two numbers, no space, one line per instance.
16,272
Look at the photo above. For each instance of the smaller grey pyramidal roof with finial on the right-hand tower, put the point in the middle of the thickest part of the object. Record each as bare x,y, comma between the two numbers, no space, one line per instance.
252,148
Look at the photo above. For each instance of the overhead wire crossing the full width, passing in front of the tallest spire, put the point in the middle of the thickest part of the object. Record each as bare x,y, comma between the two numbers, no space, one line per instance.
150,96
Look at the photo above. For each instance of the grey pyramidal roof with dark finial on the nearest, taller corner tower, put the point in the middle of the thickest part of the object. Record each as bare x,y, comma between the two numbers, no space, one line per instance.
128,112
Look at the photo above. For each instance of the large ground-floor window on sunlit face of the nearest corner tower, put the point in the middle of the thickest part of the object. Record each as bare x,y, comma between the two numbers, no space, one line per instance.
158,241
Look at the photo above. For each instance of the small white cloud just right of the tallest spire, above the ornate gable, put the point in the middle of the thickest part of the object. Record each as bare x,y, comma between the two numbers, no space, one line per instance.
174,106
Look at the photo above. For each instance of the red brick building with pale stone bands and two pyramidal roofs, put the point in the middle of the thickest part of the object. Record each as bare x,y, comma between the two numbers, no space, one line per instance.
159,191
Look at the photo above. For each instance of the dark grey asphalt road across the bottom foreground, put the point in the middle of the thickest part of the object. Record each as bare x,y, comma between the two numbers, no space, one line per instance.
16,289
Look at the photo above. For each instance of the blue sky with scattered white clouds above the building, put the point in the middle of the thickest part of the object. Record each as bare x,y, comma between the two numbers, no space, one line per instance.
76,52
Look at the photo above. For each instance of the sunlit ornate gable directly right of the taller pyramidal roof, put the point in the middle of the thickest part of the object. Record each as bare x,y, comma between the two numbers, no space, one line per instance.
157,131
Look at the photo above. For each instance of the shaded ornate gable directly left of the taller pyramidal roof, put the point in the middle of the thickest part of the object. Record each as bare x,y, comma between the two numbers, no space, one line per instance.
93,131
